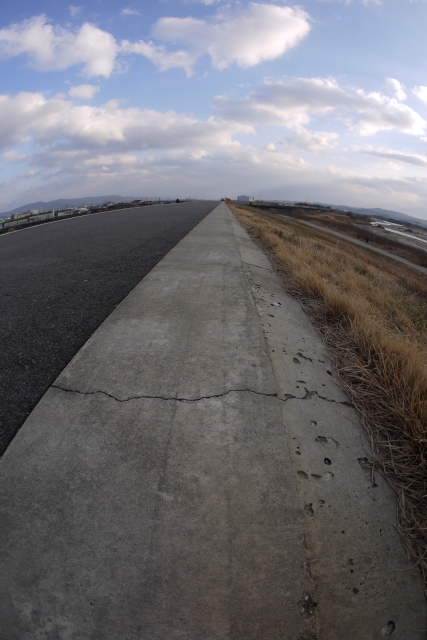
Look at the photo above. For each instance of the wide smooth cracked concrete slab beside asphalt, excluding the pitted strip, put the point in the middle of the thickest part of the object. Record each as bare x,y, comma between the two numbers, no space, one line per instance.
151,493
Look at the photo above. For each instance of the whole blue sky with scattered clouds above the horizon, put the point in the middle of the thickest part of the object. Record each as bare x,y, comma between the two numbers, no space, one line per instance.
325,100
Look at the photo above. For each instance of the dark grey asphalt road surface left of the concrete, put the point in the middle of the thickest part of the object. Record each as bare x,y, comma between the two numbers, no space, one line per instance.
59,281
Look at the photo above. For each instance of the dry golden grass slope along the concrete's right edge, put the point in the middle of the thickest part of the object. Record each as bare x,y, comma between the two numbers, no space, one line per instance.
372,314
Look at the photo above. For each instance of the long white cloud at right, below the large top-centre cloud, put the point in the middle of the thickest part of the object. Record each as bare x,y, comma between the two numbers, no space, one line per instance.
293,102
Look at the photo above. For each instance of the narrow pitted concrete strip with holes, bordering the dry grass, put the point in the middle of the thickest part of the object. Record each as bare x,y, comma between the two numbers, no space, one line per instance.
365,586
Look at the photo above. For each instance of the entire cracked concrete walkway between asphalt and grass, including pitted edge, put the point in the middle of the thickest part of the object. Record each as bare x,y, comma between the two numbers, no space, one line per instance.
157,490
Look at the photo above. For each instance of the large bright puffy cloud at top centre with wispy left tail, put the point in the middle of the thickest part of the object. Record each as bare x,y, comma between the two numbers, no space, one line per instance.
246,37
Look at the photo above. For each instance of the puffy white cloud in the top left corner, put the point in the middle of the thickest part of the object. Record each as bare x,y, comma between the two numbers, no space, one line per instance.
55,48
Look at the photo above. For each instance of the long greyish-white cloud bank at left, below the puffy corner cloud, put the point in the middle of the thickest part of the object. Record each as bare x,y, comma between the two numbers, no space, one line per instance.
50,120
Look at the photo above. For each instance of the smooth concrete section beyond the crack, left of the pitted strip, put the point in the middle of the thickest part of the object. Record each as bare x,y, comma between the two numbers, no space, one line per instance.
189,316
